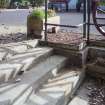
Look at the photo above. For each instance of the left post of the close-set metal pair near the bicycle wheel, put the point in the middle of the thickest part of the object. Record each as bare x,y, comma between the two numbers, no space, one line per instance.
84,18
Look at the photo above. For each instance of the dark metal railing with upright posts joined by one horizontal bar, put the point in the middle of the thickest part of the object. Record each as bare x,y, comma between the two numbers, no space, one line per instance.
86,20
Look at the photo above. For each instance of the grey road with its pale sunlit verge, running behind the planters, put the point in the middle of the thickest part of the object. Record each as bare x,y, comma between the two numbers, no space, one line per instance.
11,19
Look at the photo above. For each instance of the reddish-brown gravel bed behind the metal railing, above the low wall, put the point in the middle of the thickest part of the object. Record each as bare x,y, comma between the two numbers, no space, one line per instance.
67,37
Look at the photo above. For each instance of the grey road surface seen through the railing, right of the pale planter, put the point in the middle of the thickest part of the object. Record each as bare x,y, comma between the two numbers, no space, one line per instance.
75,19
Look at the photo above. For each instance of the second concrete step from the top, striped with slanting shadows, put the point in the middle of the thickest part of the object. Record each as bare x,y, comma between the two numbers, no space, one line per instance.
22,62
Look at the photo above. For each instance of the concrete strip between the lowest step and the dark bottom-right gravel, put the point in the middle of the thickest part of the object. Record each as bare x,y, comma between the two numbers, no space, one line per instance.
82,95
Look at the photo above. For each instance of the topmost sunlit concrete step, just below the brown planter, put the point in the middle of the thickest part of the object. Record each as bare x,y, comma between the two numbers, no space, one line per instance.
14,48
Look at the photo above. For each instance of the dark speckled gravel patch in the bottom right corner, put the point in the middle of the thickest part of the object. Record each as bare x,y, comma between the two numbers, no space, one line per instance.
97,94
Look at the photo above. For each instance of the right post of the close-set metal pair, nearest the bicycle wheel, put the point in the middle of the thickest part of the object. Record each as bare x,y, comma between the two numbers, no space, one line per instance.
88,20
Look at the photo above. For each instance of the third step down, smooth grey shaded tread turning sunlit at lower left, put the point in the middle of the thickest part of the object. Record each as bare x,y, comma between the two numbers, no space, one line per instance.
33,78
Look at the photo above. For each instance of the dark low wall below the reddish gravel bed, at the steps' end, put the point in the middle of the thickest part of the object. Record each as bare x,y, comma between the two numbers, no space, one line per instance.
77,56
